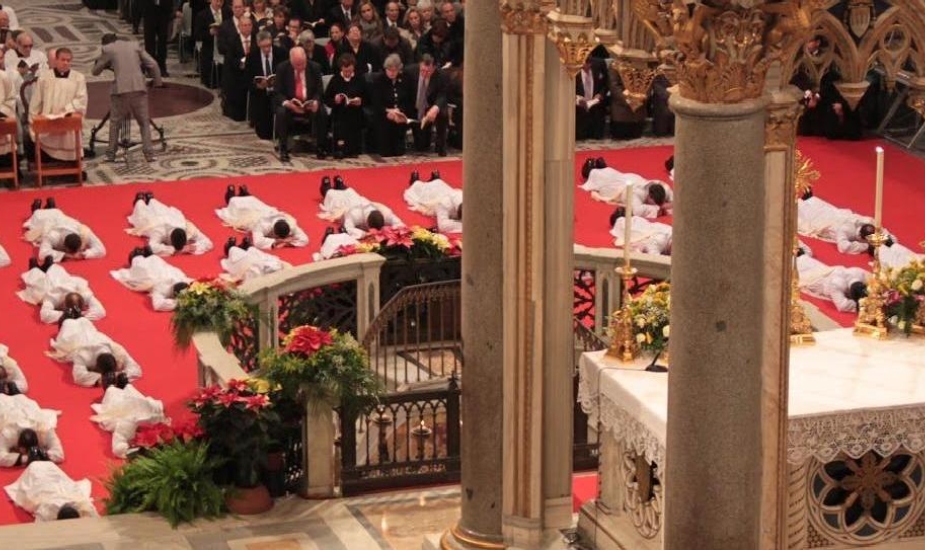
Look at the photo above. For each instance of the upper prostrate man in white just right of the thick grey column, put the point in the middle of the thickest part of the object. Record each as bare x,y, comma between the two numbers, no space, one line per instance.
820,219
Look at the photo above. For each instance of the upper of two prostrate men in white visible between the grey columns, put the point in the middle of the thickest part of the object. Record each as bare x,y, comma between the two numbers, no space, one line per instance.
651,198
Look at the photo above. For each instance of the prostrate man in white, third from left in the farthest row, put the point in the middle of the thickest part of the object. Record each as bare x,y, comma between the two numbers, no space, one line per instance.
266,226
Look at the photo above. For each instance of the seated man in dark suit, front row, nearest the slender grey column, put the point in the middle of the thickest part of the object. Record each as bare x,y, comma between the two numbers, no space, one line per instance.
430,104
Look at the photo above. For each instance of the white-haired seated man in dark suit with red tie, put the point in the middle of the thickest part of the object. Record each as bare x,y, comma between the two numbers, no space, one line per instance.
298,100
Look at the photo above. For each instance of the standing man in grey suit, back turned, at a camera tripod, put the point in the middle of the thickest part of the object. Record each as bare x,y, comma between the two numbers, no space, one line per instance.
129,92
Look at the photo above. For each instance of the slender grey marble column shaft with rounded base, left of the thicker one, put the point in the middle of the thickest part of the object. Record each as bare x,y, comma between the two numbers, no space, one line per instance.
482,288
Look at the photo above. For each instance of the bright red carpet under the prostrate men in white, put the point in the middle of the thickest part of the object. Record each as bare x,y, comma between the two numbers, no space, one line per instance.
847,169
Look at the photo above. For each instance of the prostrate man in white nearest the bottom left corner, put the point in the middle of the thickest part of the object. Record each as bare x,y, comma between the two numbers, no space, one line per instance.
44,489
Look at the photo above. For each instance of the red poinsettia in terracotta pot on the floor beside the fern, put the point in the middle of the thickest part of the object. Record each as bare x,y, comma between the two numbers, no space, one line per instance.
237,421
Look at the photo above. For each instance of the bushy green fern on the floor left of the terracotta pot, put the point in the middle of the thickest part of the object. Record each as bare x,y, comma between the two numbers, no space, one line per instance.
173,480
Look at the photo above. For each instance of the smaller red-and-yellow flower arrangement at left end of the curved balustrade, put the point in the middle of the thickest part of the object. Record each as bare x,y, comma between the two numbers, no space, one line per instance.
208,305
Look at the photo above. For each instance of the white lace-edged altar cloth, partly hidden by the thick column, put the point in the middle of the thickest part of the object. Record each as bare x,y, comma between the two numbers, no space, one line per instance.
847,394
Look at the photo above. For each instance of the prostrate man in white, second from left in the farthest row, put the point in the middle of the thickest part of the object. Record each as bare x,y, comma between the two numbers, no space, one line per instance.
166,228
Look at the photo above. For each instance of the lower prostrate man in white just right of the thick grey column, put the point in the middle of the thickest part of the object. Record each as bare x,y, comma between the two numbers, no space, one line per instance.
844,286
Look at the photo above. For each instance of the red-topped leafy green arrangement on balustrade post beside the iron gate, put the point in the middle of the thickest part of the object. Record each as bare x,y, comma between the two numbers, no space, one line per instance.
323,366
